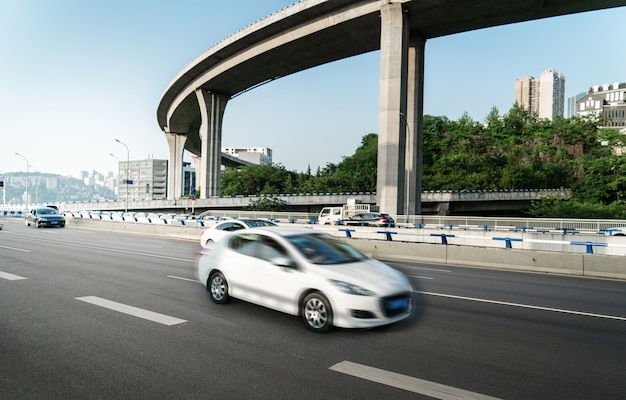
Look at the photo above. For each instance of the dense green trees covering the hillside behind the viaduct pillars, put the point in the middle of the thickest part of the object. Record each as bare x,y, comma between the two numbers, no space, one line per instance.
513,151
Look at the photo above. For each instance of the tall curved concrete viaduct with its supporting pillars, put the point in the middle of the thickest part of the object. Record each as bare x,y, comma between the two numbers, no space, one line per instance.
314,32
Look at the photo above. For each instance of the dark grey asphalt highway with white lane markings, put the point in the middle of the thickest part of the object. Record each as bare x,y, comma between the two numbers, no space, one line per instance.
93,315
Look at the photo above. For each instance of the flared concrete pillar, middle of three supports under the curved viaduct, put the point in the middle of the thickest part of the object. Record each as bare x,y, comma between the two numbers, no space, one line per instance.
212,106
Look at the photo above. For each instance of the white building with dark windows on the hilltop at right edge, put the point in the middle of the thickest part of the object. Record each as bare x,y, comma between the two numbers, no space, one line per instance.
607,101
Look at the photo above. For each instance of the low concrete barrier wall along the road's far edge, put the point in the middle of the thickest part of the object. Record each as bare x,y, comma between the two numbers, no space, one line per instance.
576,264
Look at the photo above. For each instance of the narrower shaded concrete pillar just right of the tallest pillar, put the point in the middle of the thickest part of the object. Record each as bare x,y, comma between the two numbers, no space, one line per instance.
415,123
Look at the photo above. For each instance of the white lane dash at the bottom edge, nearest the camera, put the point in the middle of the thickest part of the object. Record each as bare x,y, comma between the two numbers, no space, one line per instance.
408,383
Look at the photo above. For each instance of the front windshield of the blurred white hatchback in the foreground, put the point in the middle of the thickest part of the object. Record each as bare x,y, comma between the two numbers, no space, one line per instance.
324,249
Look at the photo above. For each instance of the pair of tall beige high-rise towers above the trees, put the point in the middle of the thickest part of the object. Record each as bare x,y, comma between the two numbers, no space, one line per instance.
544,96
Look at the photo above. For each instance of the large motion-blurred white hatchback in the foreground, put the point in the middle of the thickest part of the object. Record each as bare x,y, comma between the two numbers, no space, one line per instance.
308,273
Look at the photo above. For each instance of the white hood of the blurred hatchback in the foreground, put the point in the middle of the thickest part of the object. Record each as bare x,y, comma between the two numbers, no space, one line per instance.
370,274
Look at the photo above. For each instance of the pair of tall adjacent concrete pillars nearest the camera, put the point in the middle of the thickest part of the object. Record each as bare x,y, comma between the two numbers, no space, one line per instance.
400,114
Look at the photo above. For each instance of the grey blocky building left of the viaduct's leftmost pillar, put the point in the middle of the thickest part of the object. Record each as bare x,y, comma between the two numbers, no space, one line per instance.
142,179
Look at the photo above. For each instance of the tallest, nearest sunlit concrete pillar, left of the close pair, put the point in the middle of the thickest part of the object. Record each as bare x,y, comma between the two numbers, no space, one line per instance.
392,112
